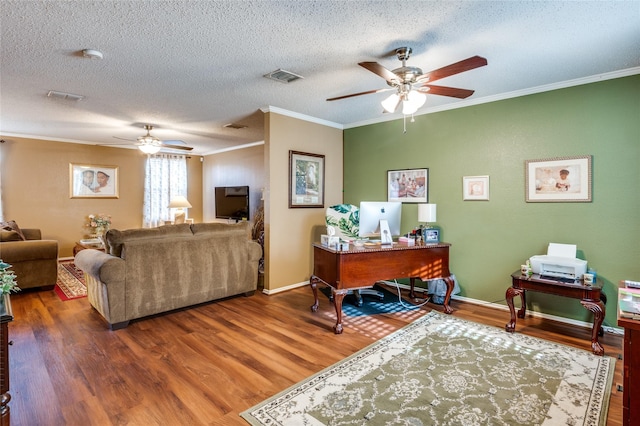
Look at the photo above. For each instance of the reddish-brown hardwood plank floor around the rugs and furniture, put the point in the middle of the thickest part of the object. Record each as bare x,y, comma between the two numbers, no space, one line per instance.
204,365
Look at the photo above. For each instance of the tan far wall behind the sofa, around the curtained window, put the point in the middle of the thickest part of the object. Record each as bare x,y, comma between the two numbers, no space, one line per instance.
35,187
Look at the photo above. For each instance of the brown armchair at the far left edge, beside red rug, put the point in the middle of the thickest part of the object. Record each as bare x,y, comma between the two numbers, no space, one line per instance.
33,260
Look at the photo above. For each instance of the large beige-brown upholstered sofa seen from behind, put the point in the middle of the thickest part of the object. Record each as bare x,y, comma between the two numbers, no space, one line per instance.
150,271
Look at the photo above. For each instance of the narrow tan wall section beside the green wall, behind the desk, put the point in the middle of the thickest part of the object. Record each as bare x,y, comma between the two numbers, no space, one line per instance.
290,232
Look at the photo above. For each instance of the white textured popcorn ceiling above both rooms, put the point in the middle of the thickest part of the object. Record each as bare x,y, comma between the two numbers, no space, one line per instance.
190,67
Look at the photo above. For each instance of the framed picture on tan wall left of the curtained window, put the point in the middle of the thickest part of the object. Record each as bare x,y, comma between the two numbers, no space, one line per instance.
93,181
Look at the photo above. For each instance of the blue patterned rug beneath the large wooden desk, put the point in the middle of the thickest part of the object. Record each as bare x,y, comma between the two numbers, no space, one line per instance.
372,305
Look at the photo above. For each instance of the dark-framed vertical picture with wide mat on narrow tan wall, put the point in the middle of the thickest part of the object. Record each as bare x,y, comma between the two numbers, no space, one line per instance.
306,180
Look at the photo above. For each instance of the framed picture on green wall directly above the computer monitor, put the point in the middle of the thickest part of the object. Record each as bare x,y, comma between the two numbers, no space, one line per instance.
408,185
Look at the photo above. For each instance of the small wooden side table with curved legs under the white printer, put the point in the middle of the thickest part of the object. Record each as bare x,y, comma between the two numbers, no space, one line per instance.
590,297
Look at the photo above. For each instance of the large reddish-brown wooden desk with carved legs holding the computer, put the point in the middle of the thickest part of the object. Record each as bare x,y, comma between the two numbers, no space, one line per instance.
362,267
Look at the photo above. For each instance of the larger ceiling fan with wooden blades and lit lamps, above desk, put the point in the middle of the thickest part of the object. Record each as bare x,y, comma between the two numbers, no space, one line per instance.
411,85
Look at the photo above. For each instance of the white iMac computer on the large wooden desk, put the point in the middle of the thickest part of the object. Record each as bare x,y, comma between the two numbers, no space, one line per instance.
380,219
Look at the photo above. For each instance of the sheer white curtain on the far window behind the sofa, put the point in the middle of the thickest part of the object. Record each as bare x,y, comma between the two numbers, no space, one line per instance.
165,178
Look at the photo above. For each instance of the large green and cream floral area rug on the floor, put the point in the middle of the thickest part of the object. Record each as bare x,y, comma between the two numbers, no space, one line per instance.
441,370
